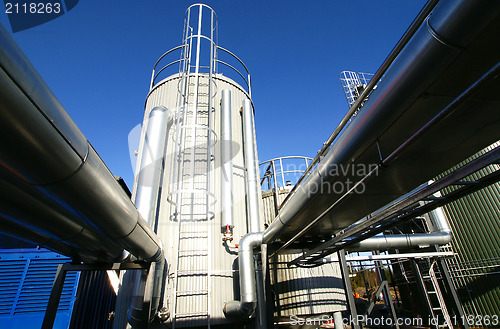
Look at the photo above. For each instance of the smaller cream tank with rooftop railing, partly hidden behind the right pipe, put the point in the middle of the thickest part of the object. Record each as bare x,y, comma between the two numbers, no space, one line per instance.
305,292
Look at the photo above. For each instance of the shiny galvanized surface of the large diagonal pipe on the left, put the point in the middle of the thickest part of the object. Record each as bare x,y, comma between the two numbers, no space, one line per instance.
68,174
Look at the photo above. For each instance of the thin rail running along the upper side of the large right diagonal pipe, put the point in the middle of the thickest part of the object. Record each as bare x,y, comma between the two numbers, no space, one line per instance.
415,25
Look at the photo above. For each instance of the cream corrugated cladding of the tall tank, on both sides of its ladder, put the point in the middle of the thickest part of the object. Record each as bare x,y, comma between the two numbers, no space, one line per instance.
223,268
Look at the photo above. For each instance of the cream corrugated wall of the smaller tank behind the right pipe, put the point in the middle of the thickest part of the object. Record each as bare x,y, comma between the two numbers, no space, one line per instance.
302,291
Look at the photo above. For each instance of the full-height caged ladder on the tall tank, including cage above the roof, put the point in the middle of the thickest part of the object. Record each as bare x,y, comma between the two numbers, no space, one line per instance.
191,194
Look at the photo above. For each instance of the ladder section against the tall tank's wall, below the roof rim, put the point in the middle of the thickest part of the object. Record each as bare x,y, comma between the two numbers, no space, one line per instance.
192,291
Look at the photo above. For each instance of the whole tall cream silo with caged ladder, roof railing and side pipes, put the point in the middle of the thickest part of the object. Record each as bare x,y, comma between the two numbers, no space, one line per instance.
200,184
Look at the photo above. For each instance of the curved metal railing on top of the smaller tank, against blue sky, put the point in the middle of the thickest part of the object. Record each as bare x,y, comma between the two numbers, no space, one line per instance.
282,172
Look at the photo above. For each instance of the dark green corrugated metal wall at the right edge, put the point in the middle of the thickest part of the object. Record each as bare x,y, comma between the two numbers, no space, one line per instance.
475,221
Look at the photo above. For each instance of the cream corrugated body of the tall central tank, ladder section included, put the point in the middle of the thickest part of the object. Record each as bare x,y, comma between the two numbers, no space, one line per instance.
197,245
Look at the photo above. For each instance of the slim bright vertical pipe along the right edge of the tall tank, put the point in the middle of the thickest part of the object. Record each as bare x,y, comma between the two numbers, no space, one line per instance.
251,166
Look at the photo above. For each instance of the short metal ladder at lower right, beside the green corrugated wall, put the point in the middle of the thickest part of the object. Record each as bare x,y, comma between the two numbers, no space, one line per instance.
434,297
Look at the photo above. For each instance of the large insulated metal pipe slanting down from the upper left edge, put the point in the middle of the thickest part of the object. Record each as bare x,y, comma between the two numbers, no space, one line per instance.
34,125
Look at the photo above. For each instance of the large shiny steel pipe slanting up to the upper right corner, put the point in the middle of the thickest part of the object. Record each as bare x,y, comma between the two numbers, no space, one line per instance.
431,71
